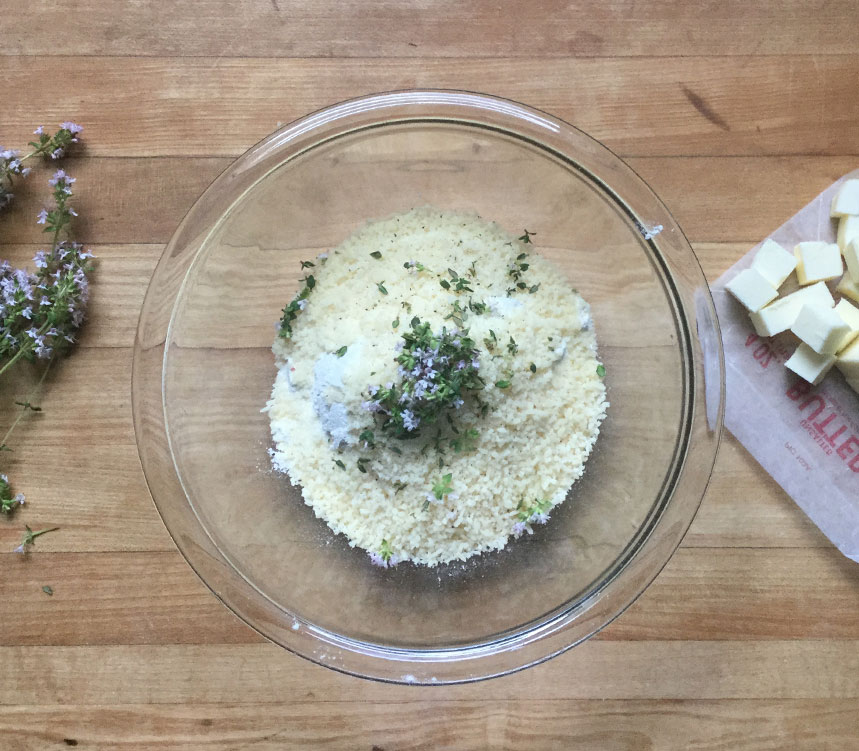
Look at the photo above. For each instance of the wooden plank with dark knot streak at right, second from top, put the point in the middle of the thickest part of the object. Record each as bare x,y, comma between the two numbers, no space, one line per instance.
638,107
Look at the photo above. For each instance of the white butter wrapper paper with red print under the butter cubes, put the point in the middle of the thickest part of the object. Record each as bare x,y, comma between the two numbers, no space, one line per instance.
806,437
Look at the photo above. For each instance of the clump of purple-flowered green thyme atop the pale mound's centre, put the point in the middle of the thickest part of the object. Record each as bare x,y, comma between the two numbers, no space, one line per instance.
436,370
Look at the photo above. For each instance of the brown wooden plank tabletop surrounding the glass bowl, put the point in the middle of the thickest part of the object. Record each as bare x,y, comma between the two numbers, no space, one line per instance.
736,112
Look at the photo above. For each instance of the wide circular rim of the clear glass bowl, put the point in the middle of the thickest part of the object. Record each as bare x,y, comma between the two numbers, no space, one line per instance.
547,636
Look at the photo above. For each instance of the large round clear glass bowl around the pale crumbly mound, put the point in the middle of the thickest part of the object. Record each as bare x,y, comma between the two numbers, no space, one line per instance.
203,369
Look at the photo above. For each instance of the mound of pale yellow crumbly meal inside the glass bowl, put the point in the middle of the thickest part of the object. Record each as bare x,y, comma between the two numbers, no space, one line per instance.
533,441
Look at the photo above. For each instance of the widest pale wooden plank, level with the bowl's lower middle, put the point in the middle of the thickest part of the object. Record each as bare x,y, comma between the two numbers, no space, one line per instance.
86,425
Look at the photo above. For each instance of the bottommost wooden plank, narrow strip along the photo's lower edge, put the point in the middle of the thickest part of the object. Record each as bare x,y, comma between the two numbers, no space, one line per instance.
752,725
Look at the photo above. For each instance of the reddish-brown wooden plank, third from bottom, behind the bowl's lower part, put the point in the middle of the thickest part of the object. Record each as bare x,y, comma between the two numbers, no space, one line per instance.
155,598
